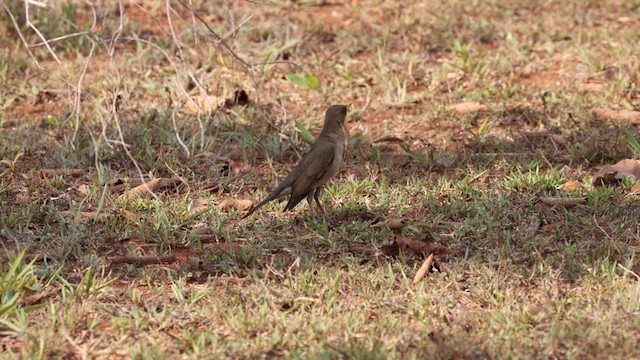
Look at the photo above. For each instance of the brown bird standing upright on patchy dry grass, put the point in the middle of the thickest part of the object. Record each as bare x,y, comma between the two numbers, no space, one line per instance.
317,166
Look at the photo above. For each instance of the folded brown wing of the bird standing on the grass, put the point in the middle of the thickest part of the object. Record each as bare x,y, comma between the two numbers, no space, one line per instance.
312,168
